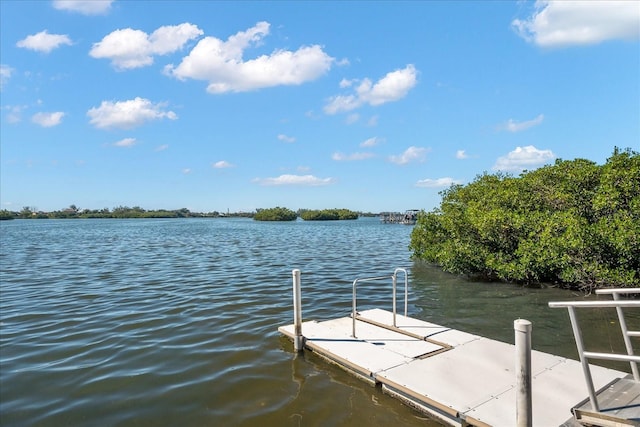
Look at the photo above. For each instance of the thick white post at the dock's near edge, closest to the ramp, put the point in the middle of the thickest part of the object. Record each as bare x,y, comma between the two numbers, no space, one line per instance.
524,409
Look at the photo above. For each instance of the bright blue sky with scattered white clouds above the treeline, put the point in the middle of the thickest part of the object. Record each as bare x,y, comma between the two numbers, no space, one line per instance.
369,106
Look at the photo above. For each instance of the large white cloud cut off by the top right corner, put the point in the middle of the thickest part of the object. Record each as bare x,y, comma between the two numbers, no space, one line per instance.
568,23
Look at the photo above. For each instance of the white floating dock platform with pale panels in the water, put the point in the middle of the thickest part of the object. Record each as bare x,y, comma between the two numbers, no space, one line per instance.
463,379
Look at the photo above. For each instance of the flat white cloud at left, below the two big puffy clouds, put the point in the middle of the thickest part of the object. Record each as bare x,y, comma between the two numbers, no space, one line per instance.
127,114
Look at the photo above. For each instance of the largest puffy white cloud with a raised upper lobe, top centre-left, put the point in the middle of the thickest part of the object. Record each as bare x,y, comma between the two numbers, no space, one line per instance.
221,63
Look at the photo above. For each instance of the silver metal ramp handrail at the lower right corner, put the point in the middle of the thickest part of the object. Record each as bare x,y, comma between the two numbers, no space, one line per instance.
586,355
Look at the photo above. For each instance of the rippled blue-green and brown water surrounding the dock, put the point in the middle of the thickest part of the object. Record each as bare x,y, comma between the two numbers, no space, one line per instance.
174,322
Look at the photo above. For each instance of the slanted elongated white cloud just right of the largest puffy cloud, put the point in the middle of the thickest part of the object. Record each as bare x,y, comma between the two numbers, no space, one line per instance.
392,87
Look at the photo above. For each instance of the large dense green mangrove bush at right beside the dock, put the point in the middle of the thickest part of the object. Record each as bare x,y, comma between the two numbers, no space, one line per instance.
574,223
